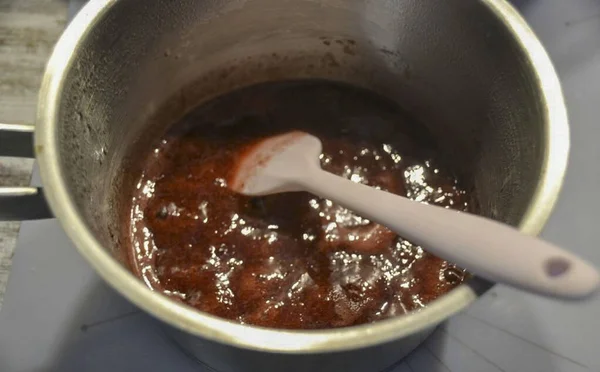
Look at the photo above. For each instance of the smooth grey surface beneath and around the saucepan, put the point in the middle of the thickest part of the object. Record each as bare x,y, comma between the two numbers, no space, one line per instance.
59,316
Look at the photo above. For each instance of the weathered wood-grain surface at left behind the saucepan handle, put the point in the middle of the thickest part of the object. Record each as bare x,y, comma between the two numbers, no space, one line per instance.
28,31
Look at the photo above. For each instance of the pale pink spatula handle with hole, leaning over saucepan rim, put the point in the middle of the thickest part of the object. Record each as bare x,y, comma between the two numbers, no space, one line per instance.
487,248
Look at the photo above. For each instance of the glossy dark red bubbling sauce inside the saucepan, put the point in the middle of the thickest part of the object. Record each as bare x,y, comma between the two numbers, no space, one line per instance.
290,260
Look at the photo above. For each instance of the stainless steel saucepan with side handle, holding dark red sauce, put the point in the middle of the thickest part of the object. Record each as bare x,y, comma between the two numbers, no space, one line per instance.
471,70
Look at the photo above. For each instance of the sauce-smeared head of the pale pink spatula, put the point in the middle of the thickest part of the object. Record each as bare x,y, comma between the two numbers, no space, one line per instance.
275,164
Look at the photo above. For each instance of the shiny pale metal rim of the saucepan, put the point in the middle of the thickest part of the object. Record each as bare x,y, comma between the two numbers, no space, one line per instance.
287,341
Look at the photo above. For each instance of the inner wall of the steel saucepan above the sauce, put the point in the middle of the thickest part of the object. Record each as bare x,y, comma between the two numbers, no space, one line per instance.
449,63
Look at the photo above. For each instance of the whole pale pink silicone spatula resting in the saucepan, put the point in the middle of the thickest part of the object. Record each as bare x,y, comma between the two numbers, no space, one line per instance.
290,162
